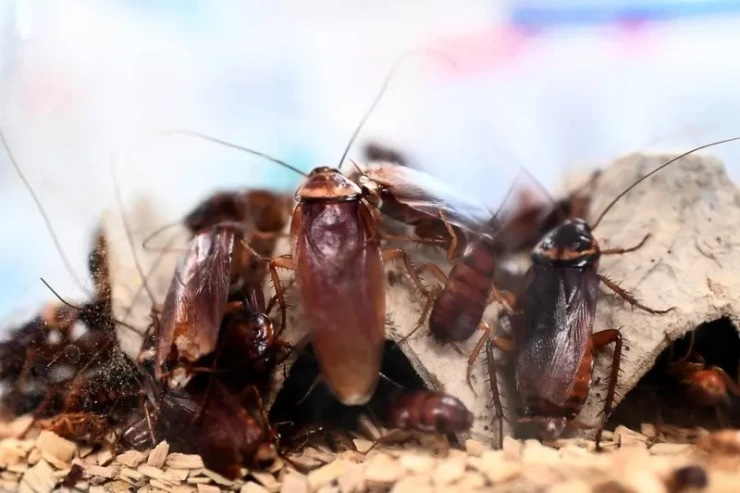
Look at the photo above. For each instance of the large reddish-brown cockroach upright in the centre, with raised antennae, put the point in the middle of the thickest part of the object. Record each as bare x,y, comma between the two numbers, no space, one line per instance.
336,255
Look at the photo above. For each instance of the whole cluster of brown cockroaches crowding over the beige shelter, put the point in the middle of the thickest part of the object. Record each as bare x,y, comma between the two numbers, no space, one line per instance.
209,354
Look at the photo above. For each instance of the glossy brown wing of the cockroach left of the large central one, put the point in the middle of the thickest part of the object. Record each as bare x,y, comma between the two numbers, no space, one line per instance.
196,299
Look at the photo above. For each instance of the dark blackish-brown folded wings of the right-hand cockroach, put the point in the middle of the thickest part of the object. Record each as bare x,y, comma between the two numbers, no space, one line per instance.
552,334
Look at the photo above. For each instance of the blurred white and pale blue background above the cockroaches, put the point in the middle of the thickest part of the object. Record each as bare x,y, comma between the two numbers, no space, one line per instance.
554,85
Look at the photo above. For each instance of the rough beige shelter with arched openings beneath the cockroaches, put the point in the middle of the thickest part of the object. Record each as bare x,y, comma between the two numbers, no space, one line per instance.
691,201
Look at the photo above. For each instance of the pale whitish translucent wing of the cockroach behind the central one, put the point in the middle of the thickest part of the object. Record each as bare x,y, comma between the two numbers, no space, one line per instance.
425,193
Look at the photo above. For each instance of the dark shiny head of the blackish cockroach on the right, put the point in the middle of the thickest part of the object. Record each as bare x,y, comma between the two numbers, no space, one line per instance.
569,244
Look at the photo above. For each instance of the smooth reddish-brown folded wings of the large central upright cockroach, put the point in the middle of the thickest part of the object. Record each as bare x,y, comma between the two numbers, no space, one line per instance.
340,277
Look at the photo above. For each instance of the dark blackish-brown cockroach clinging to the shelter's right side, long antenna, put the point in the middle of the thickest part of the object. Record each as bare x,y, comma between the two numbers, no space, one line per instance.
552,340
